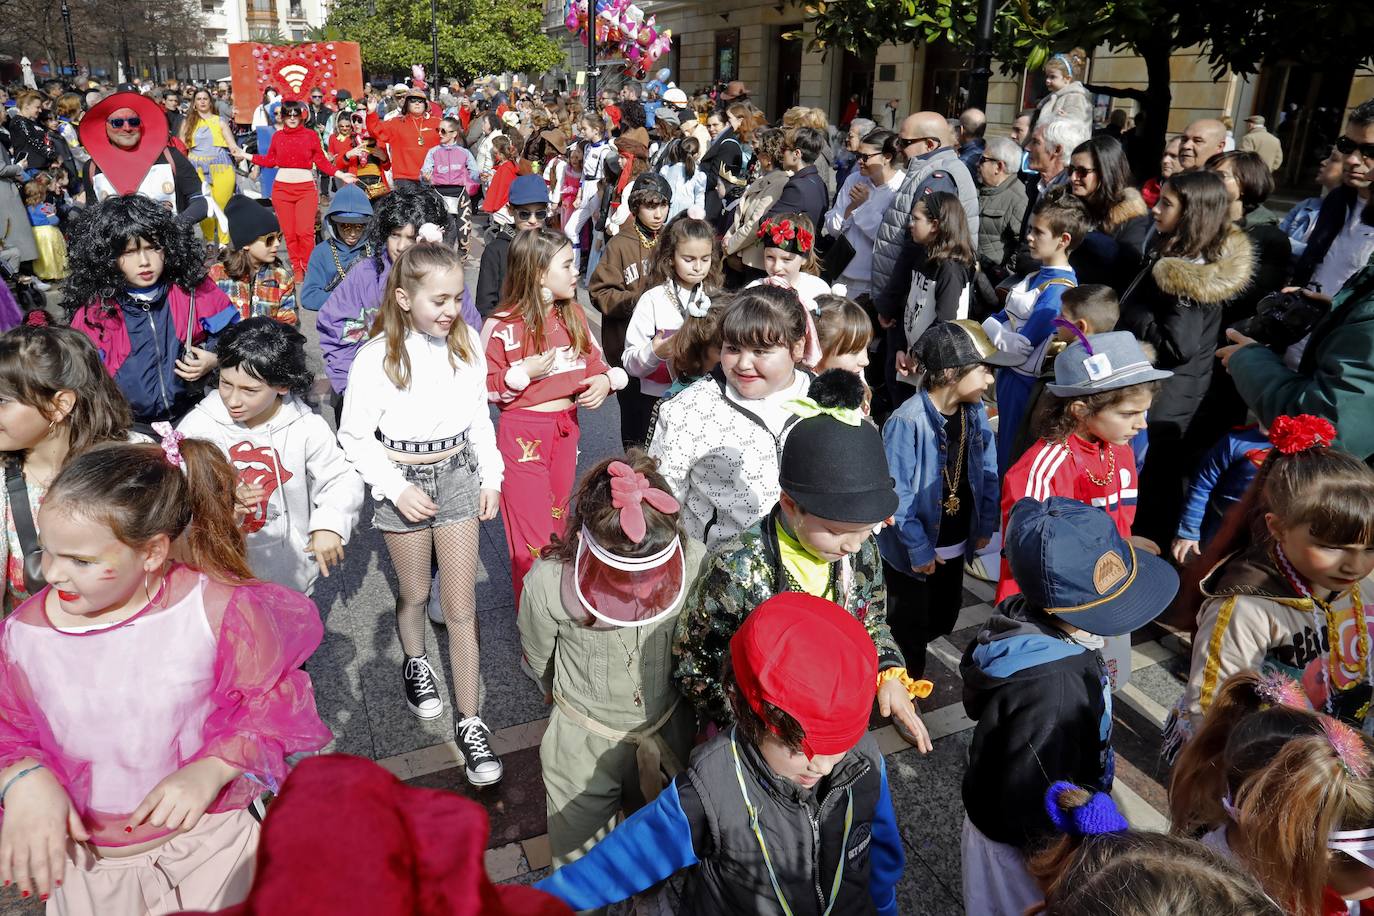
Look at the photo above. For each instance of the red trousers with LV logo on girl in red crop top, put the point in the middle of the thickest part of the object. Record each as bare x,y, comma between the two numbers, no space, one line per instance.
541,453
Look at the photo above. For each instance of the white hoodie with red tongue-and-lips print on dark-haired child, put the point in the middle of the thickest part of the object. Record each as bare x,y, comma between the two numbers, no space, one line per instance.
310,483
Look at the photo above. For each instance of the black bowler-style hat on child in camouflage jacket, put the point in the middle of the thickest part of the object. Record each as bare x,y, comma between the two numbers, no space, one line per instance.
833,465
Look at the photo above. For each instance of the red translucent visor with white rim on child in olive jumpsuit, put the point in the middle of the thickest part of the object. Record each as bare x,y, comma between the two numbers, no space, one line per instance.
624,591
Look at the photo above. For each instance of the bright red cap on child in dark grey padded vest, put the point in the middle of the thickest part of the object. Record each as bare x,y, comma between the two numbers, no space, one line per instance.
814,661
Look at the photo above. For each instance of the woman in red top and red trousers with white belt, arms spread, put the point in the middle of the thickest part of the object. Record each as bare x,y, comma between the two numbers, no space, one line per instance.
296,152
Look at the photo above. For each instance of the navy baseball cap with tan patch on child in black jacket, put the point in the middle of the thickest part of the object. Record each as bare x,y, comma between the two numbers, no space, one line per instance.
1071,561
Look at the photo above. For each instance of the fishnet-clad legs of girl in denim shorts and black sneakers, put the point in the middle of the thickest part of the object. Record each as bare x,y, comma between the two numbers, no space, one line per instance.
457,550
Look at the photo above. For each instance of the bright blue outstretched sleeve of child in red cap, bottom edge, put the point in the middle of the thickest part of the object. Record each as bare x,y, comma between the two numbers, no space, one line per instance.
652,844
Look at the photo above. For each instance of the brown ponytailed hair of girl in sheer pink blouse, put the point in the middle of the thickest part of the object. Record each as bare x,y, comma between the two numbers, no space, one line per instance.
138,492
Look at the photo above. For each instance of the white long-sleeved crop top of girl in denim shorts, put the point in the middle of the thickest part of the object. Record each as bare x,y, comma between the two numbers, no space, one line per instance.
443,400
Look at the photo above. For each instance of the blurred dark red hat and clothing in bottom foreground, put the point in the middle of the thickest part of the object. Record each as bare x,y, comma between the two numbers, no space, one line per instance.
390,851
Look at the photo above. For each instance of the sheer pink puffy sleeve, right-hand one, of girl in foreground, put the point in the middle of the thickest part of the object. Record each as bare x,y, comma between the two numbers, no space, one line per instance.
264,705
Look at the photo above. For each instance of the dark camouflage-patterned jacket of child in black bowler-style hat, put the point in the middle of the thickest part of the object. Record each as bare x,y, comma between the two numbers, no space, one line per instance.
745,572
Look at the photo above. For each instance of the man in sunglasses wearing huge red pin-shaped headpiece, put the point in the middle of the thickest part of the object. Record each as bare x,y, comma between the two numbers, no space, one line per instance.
127,138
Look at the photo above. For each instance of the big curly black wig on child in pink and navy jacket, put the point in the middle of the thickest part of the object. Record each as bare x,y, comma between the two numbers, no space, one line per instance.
101,233
